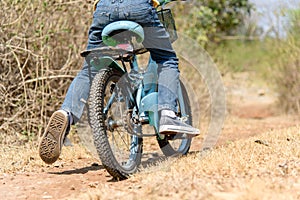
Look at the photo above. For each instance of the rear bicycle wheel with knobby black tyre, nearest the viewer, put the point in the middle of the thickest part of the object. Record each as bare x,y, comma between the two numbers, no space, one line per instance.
119,152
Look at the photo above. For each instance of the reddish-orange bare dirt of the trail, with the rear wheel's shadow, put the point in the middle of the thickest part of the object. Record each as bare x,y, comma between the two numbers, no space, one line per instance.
68,178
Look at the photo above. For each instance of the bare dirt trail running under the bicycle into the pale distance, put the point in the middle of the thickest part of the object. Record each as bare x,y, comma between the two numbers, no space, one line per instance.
79,173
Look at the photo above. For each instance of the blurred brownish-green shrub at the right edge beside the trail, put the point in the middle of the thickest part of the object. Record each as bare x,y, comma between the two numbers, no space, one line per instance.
287,78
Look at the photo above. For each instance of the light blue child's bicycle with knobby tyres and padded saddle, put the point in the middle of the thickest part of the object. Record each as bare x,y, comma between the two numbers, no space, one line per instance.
123,100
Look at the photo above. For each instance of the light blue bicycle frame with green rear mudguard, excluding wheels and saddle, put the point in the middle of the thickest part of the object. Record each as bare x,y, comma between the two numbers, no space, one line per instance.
146,97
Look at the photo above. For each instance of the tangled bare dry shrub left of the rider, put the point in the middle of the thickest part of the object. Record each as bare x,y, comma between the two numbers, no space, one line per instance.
40,43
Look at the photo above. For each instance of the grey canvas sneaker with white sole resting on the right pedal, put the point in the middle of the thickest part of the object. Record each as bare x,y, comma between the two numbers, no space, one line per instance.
170,124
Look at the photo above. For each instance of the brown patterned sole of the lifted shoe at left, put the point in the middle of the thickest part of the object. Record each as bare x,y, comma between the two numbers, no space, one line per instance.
51,141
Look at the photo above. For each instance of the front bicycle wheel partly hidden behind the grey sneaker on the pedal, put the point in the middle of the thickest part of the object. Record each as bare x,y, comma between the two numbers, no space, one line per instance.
174,145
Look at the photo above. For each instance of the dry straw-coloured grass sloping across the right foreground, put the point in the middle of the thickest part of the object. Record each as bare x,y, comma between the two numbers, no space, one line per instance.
261,167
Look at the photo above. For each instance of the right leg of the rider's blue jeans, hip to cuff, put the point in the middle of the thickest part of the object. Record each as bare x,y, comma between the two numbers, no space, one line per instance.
158,43
